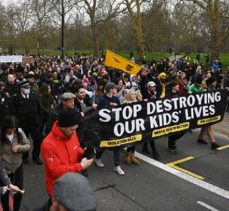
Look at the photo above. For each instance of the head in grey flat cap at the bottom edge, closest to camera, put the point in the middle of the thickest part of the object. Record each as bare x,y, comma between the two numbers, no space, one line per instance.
73,192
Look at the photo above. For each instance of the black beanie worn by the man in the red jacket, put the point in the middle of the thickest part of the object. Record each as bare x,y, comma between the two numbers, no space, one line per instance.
68,118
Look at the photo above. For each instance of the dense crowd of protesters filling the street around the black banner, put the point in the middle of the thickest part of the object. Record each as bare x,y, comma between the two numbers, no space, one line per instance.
33,96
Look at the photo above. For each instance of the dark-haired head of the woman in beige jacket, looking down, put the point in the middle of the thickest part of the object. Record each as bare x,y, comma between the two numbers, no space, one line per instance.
9,128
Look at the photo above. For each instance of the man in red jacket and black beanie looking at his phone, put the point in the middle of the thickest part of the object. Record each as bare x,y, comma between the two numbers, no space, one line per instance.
61,150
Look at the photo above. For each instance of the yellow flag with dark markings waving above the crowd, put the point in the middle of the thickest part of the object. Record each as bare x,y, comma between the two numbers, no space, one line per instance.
118,62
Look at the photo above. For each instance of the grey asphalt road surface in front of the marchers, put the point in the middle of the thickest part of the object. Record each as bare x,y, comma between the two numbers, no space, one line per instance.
147,187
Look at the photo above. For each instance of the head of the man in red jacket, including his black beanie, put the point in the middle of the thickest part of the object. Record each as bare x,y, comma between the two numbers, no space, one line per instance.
68,121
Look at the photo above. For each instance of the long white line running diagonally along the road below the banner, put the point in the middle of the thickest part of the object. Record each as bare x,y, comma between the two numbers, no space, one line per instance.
212,188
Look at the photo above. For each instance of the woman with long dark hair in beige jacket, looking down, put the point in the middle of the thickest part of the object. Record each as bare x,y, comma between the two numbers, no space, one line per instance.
13,143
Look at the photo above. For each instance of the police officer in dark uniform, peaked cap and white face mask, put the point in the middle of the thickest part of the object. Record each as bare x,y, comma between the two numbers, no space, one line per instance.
29,112
